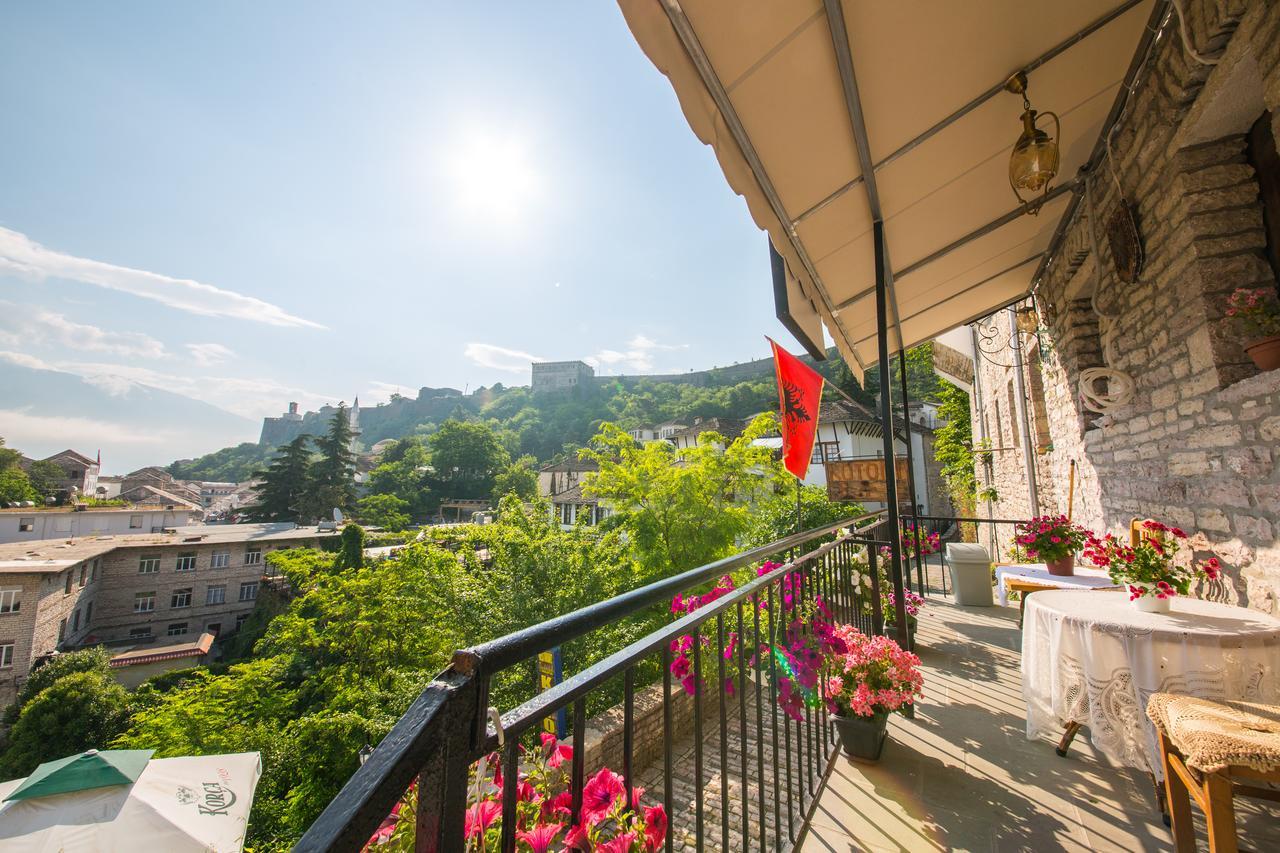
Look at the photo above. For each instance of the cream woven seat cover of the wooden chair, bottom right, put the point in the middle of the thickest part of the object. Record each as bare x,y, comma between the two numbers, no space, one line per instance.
1215,736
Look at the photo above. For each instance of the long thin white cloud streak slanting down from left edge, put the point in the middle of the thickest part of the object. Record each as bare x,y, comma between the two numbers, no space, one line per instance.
22,257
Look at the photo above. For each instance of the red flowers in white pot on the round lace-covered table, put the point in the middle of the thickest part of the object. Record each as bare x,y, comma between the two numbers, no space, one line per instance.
1148,569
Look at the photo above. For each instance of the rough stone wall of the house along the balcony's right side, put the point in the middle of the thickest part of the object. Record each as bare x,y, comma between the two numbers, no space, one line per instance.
1197,445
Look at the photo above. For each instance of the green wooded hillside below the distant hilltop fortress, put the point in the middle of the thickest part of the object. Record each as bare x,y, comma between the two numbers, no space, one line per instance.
547,426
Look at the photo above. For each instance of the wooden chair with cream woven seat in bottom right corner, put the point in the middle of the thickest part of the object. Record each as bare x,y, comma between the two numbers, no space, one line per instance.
1214,752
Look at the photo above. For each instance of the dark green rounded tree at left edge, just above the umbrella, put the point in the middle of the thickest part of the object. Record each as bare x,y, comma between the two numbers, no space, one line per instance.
79,711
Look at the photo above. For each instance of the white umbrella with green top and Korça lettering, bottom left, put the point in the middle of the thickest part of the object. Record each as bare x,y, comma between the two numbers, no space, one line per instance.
122,801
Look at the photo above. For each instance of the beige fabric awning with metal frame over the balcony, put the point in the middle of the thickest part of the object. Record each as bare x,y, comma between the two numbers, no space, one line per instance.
796,98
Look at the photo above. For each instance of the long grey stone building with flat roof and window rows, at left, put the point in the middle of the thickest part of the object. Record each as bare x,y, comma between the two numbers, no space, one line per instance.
131,590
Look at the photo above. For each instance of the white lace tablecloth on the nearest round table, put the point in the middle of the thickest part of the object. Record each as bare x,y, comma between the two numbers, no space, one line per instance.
1092,658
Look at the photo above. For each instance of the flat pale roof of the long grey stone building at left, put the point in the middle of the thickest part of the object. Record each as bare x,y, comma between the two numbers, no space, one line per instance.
31,555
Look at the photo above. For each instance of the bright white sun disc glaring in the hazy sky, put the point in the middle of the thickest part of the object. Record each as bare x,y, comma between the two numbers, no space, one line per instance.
493,177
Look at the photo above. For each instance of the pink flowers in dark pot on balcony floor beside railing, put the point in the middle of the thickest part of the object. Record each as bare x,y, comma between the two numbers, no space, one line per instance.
868,681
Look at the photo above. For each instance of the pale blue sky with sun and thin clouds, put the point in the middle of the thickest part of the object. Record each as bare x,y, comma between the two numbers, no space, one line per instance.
253,203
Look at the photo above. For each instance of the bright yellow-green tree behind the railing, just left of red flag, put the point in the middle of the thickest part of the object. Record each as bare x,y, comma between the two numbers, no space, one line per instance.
683,508
